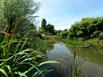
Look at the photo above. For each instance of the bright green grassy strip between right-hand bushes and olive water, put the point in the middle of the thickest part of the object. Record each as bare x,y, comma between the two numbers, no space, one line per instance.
83,44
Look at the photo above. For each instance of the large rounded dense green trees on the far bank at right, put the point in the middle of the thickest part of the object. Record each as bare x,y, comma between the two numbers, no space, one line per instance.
87,28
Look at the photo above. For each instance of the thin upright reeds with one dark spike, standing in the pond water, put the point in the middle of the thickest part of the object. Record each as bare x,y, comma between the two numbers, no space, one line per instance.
76,67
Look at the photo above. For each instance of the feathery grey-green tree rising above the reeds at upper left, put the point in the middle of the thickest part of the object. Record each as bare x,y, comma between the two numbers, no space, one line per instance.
15,15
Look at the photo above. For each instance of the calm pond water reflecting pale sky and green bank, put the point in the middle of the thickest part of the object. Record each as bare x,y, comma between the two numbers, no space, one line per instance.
93,65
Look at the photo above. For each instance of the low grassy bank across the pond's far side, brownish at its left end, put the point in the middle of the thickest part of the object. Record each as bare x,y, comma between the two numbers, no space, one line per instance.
74,43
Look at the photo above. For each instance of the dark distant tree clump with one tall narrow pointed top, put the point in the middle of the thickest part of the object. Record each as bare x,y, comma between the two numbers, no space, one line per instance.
47,28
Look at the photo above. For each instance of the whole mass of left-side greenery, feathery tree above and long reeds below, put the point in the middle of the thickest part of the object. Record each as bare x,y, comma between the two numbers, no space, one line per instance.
21,51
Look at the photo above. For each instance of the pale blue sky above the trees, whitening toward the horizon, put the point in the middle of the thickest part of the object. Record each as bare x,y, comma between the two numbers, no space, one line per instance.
63,13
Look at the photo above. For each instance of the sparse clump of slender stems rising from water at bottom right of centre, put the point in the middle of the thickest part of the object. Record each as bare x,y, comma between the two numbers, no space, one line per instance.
77,67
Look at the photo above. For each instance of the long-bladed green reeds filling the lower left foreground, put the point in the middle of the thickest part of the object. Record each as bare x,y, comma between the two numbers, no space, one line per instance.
21,57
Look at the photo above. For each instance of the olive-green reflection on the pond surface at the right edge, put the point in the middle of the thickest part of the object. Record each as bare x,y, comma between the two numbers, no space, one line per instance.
94,53
